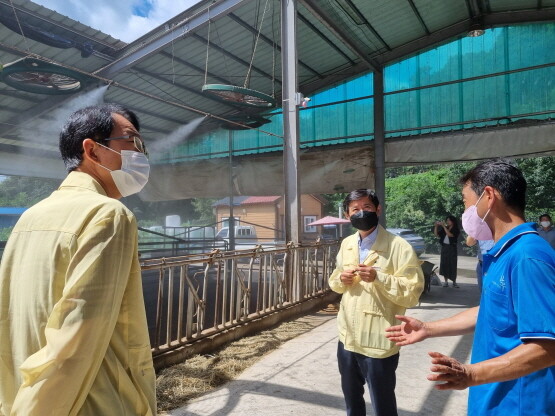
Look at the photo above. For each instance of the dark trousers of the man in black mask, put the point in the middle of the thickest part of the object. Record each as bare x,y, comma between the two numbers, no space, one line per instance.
379,373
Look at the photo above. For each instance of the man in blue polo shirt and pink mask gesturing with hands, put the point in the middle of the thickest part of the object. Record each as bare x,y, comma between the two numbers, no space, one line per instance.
512,370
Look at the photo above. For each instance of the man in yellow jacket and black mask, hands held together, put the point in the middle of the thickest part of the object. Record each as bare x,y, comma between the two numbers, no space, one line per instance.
379,275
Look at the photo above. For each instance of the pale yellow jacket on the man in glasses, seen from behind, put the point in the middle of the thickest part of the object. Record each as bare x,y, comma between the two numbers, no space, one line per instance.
73,331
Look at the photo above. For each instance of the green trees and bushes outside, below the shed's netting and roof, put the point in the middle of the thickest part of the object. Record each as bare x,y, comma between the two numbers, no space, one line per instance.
415,197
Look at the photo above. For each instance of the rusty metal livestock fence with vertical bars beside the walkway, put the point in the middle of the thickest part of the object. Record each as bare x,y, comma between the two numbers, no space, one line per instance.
191,297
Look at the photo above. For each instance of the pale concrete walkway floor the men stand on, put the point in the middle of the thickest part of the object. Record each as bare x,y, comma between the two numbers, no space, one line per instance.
301,376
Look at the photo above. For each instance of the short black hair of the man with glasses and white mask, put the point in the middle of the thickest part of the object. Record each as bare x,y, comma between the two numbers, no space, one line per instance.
93,122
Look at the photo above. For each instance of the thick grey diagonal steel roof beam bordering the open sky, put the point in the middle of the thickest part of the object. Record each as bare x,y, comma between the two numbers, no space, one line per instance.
182,29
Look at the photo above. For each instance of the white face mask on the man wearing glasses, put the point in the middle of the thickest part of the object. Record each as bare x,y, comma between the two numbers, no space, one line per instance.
133,175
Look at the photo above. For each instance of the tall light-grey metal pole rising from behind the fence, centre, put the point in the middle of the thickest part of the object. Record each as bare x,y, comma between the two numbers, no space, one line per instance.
290,120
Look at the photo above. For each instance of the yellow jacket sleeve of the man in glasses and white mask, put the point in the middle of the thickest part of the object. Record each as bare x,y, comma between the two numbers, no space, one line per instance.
58,377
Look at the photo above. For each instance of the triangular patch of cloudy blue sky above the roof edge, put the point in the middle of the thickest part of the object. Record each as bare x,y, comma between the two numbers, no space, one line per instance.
125,20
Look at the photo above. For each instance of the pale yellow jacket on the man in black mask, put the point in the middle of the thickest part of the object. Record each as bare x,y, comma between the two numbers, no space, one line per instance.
368,308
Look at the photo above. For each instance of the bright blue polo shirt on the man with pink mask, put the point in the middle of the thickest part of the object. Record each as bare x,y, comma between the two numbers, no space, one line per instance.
517,305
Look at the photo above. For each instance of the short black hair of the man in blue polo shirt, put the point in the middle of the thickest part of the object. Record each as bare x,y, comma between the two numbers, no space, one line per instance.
501,175
